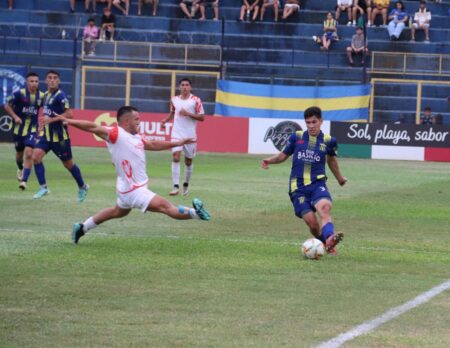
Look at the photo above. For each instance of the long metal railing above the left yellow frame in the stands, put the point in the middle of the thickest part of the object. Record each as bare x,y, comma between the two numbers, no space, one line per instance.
155,53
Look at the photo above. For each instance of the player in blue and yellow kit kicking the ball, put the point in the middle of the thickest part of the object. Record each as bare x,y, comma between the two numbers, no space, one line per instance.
309,194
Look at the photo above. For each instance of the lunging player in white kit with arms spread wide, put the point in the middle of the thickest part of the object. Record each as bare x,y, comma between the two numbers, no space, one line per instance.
127,150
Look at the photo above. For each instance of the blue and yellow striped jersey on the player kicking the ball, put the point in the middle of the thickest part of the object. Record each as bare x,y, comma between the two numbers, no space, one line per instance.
308,157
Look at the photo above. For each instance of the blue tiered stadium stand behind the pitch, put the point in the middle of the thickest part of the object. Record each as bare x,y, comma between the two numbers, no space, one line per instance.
41,34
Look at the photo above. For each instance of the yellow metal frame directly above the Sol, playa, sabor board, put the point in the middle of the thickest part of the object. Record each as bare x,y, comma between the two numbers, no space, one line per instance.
418,95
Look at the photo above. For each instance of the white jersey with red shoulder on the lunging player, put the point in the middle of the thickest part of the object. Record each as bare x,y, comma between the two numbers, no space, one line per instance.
128,156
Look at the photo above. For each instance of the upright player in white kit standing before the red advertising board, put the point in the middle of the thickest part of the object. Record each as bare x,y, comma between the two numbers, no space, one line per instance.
186,110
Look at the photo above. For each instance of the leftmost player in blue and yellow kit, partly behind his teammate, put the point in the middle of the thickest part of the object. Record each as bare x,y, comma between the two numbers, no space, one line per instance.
23,106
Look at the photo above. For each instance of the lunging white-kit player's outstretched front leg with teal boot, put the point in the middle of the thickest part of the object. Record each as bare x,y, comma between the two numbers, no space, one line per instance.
161,205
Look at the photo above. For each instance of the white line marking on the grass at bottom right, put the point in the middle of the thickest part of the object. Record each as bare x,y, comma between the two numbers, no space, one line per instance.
371,325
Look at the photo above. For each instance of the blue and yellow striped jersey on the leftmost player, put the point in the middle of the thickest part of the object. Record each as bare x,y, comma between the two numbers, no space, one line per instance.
26,105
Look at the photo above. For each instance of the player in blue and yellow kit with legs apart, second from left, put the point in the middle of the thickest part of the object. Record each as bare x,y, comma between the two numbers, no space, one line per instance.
55,136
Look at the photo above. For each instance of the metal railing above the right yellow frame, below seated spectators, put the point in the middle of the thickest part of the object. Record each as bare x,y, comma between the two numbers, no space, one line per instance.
410,63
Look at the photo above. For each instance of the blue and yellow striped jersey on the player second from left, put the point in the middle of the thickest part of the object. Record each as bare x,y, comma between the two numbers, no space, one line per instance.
55,103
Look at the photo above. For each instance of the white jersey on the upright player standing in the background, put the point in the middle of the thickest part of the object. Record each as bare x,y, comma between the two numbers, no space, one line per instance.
185,126
